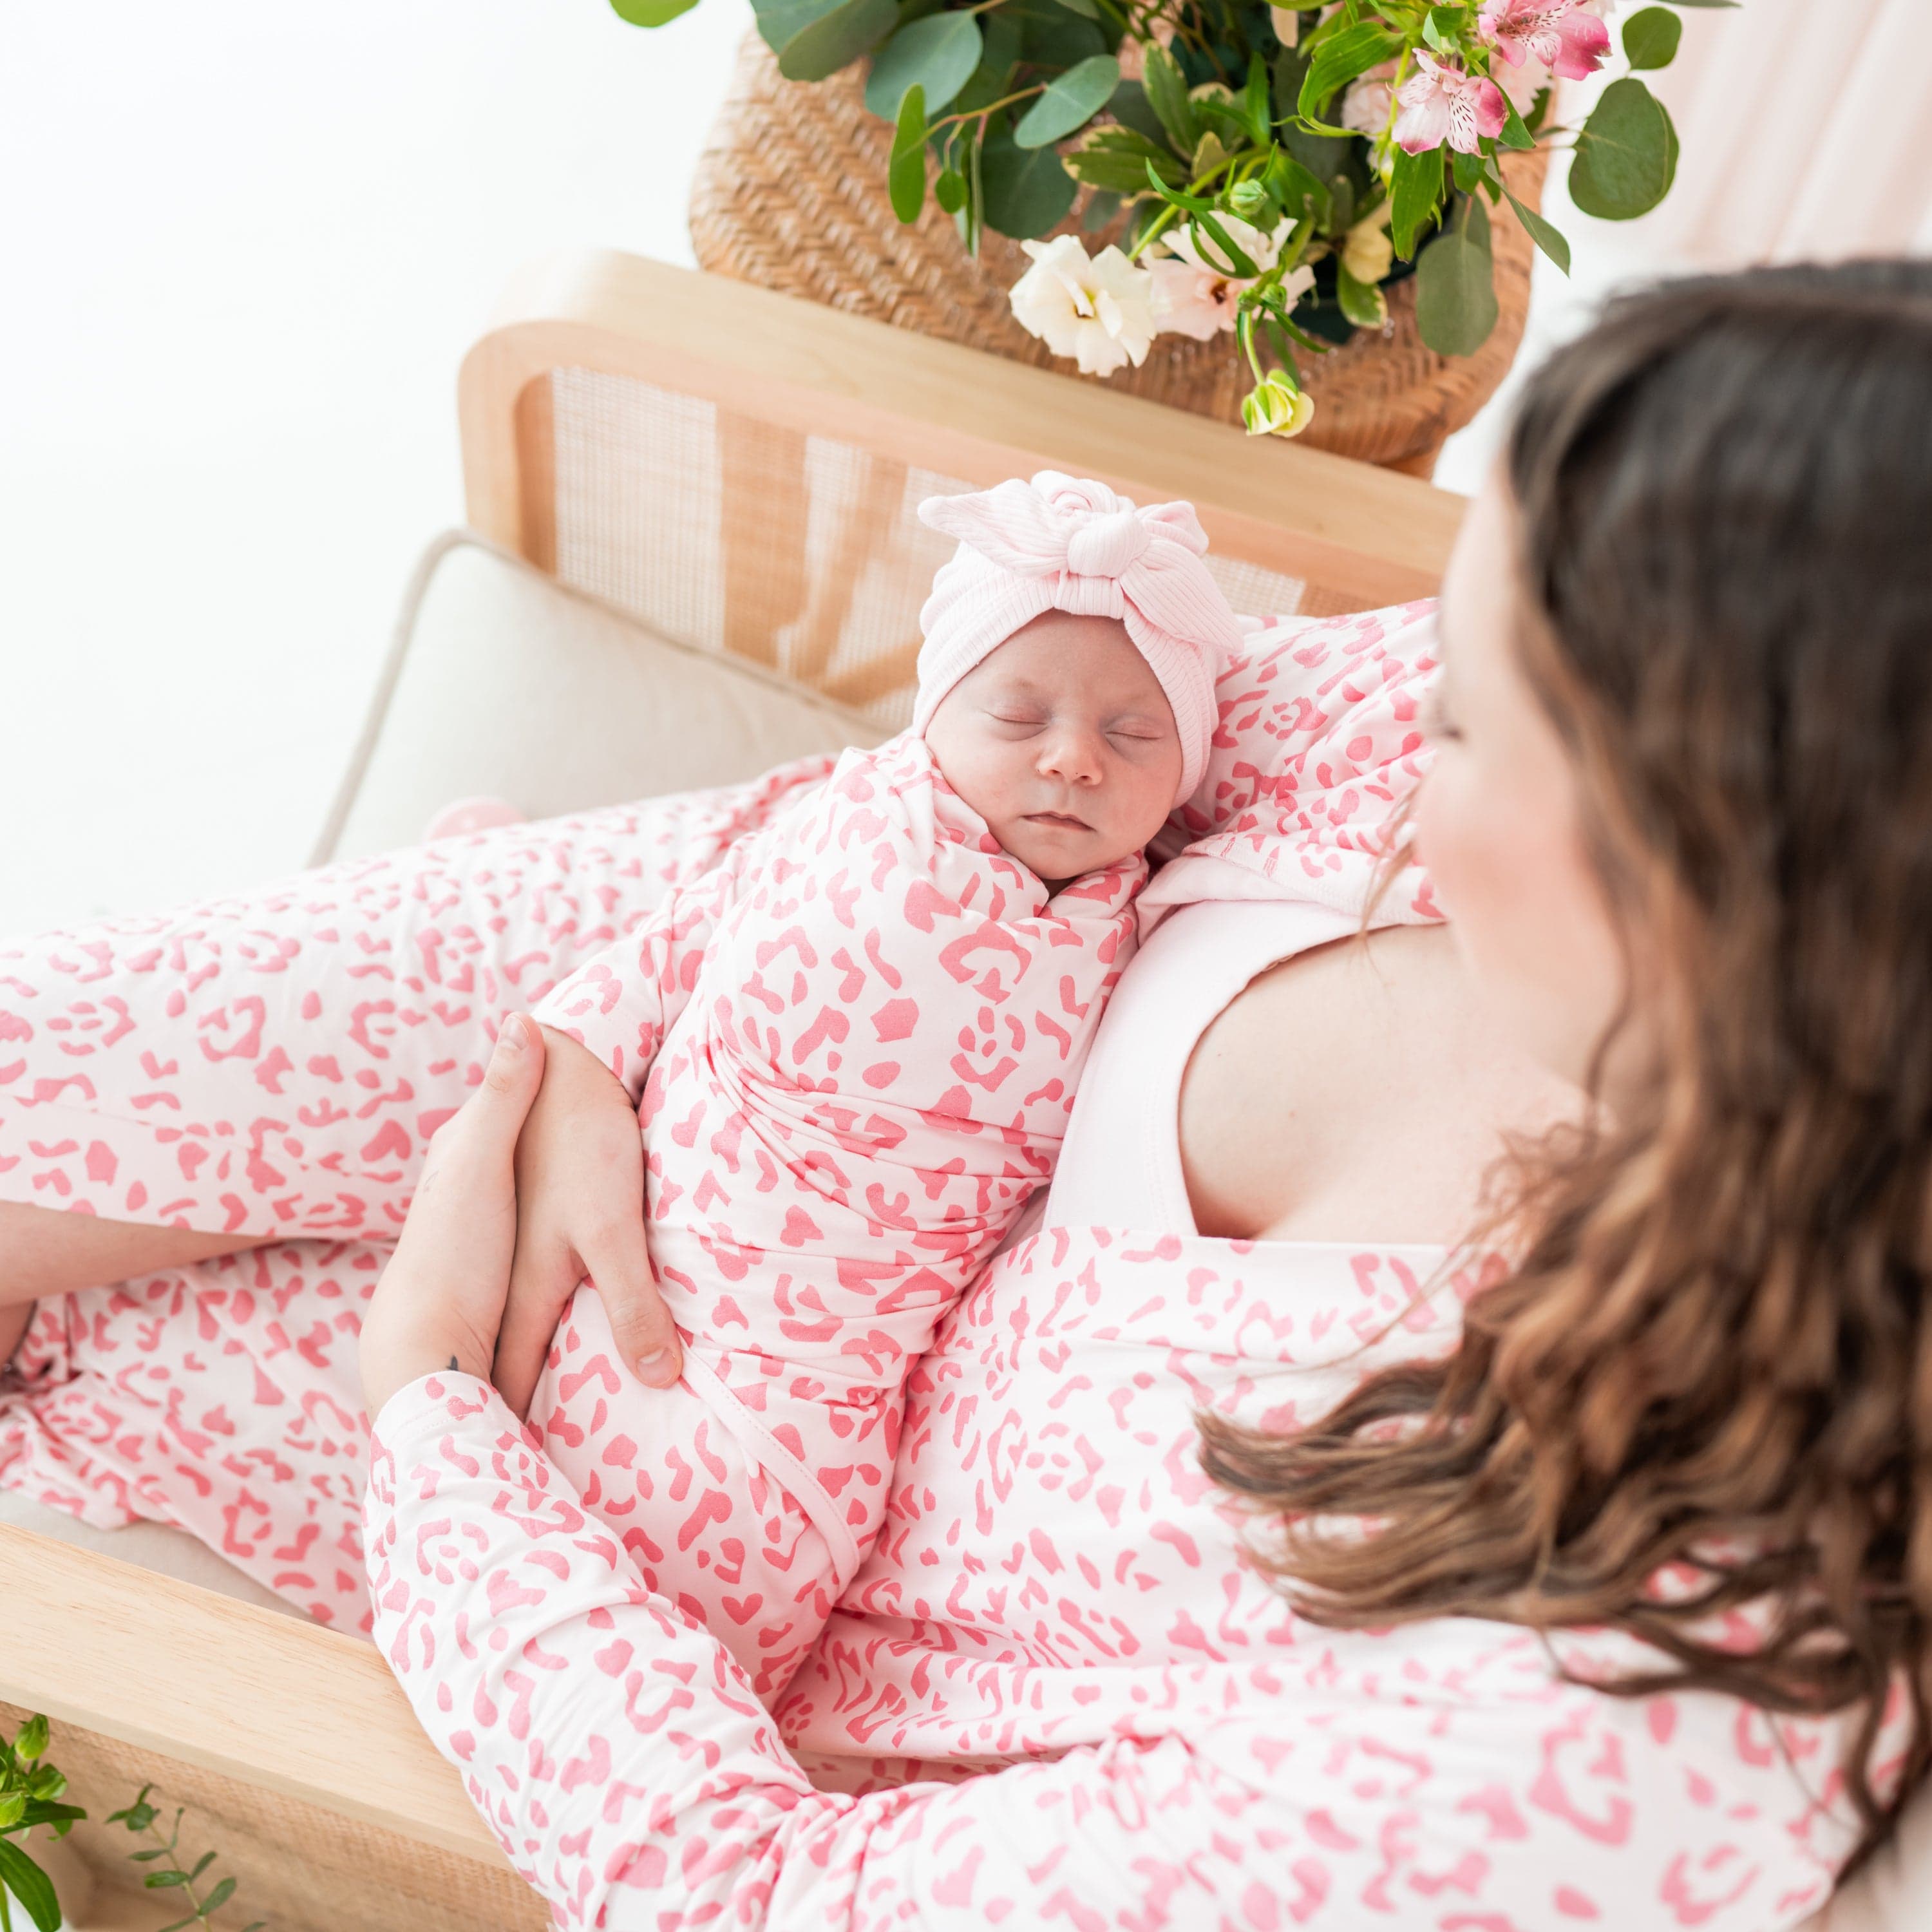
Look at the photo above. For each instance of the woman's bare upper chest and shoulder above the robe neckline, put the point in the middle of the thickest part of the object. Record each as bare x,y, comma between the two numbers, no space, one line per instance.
1355,1093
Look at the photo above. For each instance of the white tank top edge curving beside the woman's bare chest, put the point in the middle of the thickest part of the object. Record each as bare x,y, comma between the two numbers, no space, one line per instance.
1122,1158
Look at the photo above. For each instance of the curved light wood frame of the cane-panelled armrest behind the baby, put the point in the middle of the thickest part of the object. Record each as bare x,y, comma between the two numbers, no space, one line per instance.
1361,534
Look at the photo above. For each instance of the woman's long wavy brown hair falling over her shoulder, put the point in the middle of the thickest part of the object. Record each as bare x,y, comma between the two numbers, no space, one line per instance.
1715,1344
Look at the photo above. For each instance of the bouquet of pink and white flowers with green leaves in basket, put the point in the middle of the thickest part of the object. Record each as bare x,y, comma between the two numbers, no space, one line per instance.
1264,173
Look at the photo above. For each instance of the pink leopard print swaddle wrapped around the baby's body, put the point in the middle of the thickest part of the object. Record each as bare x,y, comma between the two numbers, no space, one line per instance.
857,1046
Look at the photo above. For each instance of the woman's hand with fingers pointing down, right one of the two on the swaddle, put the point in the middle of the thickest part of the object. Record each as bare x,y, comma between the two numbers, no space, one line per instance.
581,1214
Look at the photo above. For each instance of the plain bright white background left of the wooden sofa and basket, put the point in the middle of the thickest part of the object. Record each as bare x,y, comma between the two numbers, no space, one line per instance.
244,246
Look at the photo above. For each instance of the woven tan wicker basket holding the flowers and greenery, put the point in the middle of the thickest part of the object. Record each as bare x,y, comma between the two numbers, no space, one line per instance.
791,194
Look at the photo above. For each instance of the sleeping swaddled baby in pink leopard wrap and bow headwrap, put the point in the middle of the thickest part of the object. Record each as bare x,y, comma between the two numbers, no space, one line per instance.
855,1048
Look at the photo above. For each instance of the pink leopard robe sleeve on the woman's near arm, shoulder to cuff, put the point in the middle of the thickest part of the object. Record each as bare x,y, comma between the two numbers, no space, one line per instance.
637,1782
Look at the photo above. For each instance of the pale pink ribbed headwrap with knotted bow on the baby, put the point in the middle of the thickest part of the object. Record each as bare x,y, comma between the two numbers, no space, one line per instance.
1060,544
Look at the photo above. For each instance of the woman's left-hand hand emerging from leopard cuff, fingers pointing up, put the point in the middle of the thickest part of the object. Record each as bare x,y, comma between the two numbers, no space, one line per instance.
441,1297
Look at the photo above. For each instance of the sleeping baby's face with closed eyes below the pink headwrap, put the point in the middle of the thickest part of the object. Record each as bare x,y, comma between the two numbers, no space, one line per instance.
1064,743
